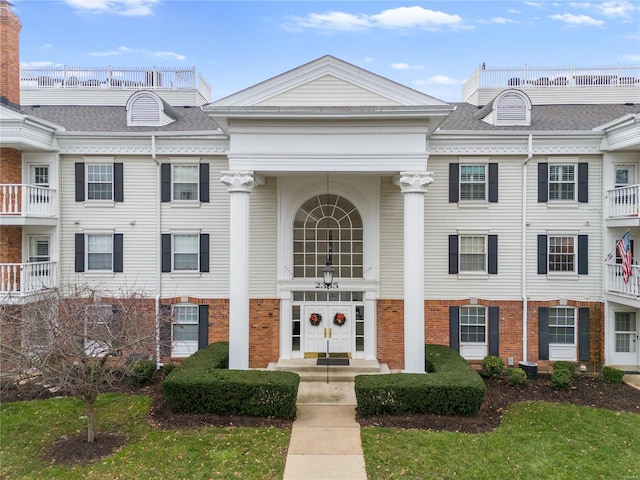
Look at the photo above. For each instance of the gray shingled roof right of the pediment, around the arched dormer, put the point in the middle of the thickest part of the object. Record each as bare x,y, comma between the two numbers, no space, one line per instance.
543,117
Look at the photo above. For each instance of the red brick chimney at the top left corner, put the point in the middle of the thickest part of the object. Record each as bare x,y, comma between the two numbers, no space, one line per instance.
10,27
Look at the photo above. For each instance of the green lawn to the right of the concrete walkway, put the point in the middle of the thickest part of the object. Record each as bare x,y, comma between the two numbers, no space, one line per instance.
536,440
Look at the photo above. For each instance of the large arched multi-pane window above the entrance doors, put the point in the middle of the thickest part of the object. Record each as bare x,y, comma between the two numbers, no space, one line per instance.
327,228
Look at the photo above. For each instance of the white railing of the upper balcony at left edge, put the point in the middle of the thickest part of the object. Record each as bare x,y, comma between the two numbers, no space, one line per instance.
28,201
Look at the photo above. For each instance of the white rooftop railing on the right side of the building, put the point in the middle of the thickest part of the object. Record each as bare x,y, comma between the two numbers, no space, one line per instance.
612,76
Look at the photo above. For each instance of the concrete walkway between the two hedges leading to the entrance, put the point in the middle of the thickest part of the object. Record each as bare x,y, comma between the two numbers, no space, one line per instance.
325,438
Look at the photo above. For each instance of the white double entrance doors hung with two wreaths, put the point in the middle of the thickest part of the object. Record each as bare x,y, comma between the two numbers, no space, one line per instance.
339,338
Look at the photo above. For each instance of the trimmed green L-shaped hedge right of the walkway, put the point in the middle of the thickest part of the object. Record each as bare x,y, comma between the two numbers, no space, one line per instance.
454,388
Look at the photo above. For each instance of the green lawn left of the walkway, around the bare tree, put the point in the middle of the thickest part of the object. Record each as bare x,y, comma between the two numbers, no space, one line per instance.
29,428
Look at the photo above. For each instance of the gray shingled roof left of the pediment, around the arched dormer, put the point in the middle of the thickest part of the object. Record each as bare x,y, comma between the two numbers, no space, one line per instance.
114,119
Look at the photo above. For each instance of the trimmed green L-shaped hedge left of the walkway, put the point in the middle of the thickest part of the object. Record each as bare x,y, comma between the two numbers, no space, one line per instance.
200,385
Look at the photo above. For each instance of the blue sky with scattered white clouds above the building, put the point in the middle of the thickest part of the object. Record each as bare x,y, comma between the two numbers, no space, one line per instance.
430,46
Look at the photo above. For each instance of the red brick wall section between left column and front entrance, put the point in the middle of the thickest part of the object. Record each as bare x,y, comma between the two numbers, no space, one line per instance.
264,332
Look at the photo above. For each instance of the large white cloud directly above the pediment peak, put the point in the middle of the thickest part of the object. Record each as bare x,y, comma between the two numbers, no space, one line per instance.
396,18
